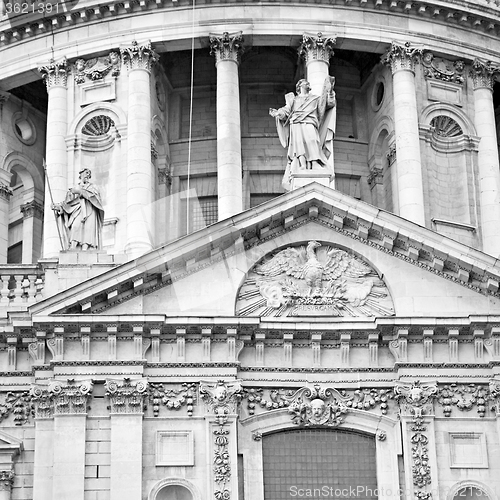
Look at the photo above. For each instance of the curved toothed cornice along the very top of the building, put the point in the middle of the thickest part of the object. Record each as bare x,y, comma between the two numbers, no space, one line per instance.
481,16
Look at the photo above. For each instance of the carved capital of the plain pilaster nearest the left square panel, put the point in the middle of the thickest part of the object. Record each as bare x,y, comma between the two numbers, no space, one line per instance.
127,395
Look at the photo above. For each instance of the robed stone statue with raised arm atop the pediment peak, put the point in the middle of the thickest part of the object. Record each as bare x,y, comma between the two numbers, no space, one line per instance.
306,126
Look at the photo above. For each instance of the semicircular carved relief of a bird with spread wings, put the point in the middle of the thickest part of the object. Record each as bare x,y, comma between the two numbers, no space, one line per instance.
314,279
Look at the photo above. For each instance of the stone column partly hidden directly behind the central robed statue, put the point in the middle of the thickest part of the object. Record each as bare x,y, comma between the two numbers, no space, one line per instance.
317,51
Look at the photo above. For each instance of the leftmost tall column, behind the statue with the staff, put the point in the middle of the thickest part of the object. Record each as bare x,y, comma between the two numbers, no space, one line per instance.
55,75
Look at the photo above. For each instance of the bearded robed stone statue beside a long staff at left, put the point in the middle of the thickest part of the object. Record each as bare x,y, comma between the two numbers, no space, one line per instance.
80,216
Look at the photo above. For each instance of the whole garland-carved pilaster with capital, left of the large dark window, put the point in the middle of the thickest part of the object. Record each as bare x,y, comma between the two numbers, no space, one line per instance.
221,401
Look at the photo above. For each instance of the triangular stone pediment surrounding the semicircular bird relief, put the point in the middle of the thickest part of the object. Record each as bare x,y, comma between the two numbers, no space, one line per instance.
313,212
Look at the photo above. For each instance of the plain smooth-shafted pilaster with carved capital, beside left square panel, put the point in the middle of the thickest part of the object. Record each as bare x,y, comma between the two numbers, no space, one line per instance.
127,398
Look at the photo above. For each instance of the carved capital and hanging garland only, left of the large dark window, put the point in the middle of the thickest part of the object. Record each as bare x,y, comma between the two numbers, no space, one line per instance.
221,399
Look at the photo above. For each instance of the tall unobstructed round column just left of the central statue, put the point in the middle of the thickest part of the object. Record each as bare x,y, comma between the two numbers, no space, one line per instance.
227,50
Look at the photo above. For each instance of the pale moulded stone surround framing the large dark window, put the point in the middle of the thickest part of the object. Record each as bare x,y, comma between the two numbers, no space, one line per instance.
383,430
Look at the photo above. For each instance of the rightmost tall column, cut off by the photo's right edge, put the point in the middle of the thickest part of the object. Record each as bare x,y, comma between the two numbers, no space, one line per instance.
489,174
